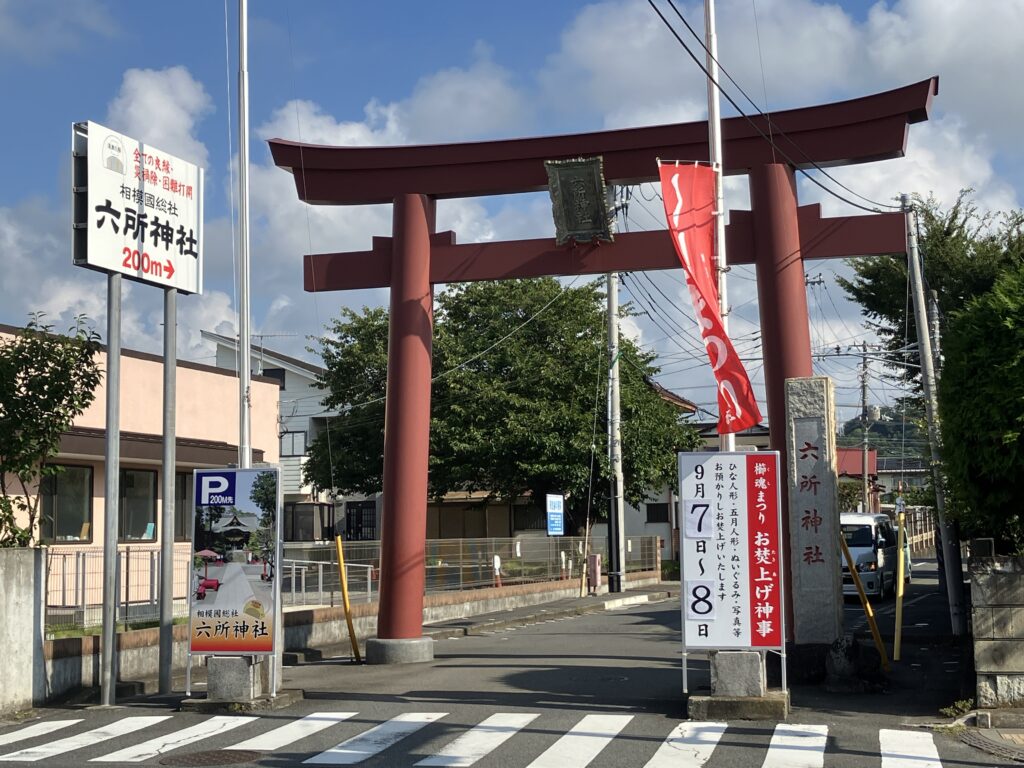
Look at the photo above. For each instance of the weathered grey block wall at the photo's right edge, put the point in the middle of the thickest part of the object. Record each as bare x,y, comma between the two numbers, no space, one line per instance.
998,614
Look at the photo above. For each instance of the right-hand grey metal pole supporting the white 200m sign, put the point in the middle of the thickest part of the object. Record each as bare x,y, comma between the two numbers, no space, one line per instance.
167,496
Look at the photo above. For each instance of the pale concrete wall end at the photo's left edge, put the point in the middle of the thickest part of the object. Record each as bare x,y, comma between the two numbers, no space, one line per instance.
22,607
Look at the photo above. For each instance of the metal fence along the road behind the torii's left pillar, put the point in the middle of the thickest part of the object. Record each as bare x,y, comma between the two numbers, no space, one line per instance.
310,573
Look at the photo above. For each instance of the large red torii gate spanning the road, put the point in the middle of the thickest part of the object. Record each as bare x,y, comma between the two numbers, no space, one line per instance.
776,236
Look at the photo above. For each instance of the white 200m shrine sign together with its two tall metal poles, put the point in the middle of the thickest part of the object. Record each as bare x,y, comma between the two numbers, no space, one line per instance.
137,212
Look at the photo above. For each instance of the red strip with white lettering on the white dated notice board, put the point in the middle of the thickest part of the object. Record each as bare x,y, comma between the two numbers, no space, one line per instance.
763,541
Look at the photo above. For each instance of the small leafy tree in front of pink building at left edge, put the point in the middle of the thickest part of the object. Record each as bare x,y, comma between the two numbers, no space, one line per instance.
47,381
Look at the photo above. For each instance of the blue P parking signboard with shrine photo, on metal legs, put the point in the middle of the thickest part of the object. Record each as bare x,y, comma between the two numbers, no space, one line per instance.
235,604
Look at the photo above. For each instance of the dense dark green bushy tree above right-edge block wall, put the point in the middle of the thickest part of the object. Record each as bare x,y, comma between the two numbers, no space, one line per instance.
983,407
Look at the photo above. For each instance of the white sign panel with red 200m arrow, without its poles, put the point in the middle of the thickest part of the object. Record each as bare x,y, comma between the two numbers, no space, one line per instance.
137,210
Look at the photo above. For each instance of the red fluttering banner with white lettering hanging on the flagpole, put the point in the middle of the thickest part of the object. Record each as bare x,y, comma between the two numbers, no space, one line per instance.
689,192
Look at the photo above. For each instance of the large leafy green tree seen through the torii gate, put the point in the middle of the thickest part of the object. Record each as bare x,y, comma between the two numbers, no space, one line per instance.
519,400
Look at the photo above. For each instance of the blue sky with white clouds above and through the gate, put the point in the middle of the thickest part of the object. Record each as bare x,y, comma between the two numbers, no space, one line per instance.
335,72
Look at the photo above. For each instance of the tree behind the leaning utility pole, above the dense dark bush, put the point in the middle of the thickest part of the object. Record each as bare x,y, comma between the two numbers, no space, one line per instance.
965,251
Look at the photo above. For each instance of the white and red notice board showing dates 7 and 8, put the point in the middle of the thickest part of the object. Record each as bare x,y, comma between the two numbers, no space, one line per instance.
730,548
